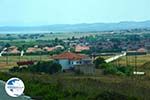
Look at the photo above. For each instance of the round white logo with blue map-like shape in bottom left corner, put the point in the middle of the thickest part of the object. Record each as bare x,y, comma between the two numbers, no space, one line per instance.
14,87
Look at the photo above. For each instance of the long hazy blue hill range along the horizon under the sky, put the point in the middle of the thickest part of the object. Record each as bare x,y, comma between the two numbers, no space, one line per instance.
77,27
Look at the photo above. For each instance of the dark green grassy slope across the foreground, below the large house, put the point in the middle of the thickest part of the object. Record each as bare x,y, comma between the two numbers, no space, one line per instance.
73,87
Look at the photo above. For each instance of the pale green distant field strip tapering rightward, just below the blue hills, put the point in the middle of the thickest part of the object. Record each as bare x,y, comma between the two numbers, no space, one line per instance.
46,36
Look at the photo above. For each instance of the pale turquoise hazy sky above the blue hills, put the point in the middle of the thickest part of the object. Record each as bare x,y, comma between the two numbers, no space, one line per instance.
48,12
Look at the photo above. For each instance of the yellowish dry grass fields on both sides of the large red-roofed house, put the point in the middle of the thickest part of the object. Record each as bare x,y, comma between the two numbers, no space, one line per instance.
130,60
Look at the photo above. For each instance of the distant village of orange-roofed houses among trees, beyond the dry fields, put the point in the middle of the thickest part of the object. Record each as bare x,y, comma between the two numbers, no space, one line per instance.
97,43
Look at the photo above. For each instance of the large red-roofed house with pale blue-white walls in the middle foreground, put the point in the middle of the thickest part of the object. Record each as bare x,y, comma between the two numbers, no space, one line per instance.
69,60
